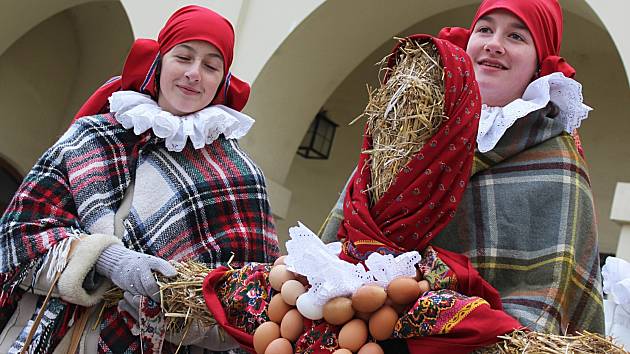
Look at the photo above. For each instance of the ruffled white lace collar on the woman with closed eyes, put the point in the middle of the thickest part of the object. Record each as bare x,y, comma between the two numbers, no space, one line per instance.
133,109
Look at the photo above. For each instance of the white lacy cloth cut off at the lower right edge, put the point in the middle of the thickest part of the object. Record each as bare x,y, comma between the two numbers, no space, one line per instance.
616,276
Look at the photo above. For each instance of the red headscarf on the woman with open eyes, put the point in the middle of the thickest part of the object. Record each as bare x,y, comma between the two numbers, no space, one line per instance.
543,18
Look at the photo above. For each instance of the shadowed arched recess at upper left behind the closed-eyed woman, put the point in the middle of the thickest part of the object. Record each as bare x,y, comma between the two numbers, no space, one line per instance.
64,51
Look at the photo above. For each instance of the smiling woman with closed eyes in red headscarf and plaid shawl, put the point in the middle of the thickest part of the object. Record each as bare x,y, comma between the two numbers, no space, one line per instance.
123,191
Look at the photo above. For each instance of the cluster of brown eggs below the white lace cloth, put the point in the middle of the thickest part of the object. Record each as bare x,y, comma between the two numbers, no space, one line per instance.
371,312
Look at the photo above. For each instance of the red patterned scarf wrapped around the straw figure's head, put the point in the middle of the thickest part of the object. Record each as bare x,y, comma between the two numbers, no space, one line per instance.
425,194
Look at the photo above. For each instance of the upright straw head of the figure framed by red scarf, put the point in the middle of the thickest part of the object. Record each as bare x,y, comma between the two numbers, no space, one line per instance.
403,112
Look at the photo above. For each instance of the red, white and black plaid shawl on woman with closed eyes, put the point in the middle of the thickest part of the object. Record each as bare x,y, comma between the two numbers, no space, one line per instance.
207,203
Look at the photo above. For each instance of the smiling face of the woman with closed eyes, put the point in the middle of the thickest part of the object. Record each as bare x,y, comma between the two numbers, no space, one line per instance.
190,75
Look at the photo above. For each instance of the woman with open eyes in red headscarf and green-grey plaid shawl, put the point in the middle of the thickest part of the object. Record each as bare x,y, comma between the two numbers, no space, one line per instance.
527,218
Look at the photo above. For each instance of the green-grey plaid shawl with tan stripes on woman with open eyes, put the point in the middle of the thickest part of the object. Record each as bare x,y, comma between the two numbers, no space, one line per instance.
527,223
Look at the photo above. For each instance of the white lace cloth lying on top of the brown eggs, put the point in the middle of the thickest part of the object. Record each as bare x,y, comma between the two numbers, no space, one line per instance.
330,276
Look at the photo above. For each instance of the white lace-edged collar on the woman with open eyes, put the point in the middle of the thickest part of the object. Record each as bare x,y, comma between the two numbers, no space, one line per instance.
566,93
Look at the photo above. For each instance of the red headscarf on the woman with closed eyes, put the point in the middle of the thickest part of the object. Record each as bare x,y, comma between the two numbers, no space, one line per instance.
187,24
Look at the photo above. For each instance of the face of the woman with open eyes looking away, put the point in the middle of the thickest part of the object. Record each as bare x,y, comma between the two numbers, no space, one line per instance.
504,57
